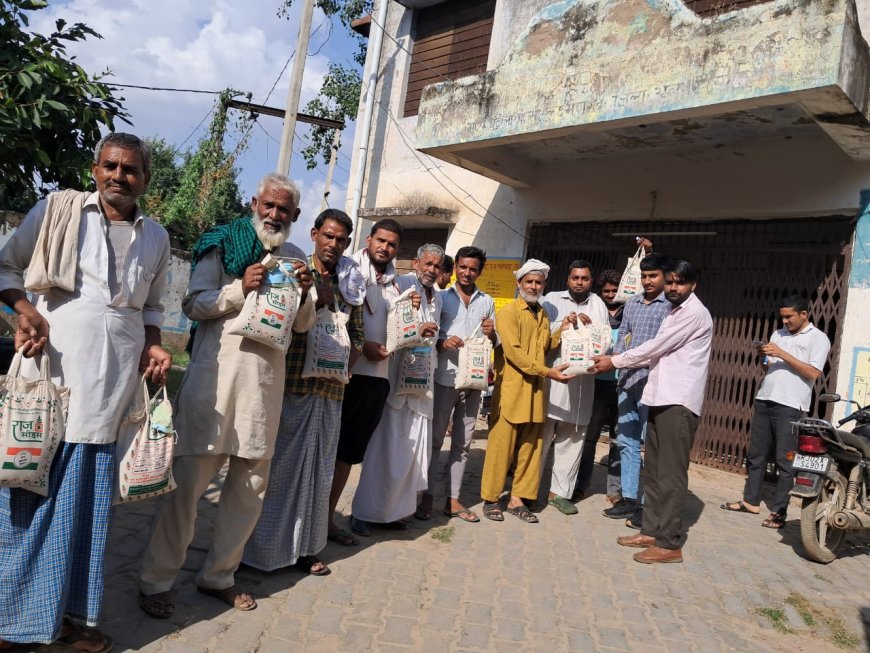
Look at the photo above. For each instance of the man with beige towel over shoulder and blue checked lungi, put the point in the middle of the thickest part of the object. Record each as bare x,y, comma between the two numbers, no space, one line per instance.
96,267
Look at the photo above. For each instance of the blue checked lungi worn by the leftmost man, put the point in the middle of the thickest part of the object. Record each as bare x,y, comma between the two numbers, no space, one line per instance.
51,548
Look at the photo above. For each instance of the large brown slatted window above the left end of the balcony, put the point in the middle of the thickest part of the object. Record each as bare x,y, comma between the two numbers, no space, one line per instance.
451,40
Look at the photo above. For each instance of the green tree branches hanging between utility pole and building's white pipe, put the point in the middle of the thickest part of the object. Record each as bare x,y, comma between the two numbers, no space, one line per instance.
338,98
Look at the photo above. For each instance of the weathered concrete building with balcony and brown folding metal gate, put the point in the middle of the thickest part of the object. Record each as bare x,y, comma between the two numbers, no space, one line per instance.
733,133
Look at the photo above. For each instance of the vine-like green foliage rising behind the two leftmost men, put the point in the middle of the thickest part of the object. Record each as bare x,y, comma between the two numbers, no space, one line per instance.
191,191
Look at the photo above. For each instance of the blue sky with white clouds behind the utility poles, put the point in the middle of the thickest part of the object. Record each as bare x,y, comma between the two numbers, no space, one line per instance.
211,45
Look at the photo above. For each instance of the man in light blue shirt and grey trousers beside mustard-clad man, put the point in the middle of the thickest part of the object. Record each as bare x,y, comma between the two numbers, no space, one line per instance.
464,308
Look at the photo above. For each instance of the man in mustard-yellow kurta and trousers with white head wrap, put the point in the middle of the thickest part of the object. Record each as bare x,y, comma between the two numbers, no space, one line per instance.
520,397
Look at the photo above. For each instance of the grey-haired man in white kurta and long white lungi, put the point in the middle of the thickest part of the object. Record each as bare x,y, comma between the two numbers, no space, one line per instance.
397,458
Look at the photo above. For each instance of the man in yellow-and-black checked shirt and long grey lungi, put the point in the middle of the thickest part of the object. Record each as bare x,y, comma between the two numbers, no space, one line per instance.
293,525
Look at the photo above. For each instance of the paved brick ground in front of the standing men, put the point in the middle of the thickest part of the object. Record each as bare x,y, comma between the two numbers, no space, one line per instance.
559,585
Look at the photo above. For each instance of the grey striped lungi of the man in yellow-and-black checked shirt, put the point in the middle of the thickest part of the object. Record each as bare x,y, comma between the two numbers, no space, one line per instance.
295,517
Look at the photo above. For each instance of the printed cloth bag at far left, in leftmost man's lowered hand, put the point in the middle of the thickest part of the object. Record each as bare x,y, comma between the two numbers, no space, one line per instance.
32,422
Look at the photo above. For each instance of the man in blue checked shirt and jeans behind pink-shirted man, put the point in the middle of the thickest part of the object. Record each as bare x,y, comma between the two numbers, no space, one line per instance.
641,319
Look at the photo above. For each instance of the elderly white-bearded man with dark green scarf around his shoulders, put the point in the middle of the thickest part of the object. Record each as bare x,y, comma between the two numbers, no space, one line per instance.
229,401
